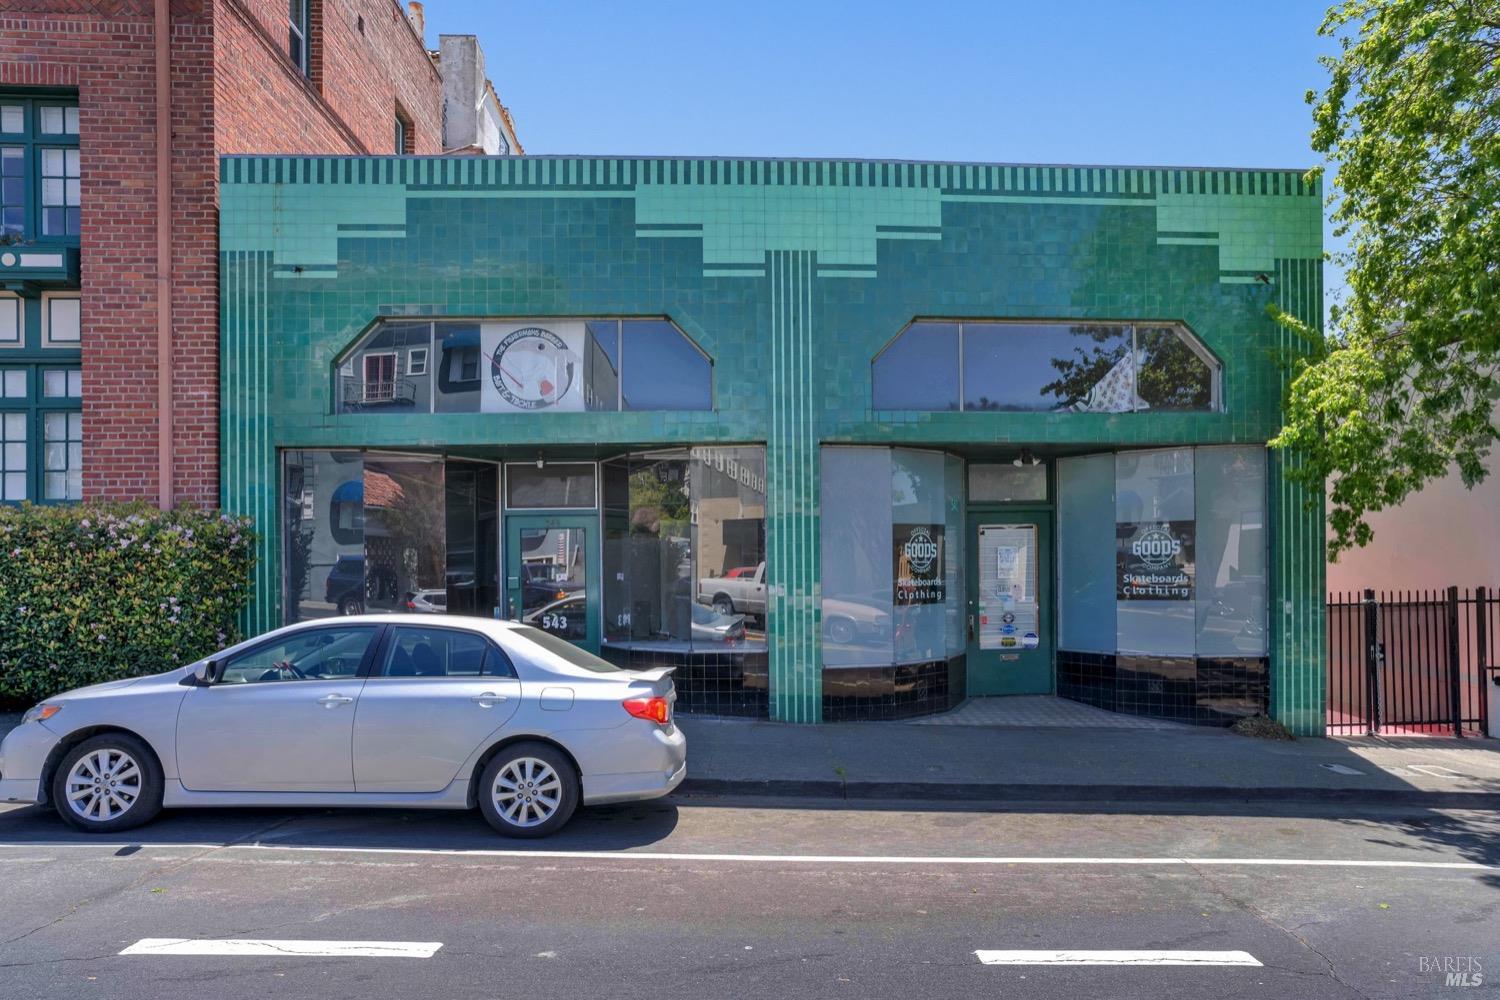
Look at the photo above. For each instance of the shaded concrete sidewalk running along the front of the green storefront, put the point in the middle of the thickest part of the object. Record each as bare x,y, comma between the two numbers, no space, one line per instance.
1181,764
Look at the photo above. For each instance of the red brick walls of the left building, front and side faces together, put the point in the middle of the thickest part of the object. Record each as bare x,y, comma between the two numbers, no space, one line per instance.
235,91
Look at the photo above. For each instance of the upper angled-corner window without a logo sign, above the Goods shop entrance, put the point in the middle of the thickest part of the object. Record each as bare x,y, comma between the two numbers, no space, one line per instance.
1046,367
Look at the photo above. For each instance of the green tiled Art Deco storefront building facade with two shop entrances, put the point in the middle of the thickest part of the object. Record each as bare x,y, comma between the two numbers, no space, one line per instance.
821,298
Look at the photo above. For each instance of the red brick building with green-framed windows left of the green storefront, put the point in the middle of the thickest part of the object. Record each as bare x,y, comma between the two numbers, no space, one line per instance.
110,358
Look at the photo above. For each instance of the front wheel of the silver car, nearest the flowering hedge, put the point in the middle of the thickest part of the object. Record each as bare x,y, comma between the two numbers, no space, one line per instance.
94,764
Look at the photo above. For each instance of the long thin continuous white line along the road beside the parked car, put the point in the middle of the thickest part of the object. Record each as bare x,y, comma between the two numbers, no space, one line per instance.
871,860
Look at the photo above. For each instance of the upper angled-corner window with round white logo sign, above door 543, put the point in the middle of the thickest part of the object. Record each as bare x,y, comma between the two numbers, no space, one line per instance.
470,367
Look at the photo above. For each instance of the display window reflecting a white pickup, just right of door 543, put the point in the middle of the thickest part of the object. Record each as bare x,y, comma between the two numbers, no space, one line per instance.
685,549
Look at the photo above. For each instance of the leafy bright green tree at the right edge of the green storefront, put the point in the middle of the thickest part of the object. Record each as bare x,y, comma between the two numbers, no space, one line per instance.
1403,386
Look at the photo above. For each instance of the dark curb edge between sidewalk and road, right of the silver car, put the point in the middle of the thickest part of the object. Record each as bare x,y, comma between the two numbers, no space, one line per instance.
1010,792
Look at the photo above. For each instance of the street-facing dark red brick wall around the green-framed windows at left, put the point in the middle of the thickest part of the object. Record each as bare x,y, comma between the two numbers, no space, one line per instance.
112,64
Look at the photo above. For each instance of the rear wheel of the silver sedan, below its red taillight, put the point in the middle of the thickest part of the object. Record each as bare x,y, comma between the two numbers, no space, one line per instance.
509,809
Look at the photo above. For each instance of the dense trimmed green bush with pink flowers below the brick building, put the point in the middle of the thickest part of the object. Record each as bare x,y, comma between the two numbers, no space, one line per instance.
94,594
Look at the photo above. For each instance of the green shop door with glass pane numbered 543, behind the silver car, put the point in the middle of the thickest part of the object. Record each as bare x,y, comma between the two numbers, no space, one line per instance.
553,575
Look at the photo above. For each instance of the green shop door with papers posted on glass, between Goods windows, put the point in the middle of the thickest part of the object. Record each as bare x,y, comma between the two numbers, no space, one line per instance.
1010,603
